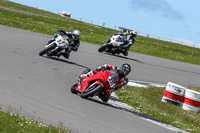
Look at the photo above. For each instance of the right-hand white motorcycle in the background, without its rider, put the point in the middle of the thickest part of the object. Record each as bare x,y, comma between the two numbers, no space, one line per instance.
114,46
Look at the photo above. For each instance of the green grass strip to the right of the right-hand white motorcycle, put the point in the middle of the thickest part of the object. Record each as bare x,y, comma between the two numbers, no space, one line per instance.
167,50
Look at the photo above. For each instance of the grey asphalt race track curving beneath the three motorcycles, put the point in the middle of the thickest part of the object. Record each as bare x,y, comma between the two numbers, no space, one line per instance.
39,87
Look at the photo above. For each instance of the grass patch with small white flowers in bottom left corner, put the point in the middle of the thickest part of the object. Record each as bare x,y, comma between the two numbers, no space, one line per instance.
12,123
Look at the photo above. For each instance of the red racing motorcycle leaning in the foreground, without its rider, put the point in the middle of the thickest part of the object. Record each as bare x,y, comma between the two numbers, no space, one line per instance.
96,84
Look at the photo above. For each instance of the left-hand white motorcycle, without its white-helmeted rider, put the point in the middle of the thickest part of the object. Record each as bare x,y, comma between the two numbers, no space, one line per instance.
59,43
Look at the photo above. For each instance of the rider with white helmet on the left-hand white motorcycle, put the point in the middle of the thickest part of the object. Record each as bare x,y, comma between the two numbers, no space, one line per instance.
74,42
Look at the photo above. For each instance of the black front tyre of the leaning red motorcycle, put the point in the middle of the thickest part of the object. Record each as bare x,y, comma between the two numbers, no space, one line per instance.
91,91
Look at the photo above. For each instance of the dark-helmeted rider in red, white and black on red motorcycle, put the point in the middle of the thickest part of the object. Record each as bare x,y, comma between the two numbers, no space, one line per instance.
122,73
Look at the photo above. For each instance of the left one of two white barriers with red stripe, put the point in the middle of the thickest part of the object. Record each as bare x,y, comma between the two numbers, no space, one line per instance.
173,93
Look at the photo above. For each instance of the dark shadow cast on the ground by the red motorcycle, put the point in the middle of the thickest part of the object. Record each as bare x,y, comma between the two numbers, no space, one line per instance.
134,112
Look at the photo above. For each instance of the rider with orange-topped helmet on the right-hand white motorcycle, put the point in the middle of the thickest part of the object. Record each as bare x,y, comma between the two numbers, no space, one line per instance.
129,40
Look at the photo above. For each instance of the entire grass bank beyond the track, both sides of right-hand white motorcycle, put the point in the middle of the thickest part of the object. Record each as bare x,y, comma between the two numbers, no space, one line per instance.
91,33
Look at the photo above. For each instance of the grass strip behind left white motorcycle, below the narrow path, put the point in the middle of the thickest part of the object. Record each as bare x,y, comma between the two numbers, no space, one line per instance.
89,33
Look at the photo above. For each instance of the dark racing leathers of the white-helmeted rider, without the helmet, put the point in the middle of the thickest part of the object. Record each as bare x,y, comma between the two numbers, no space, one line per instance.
73,44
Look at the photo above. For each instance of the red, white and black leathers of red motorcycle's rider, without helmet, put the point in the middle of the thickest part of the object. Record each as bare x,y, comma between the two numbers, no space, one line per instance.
122,79
